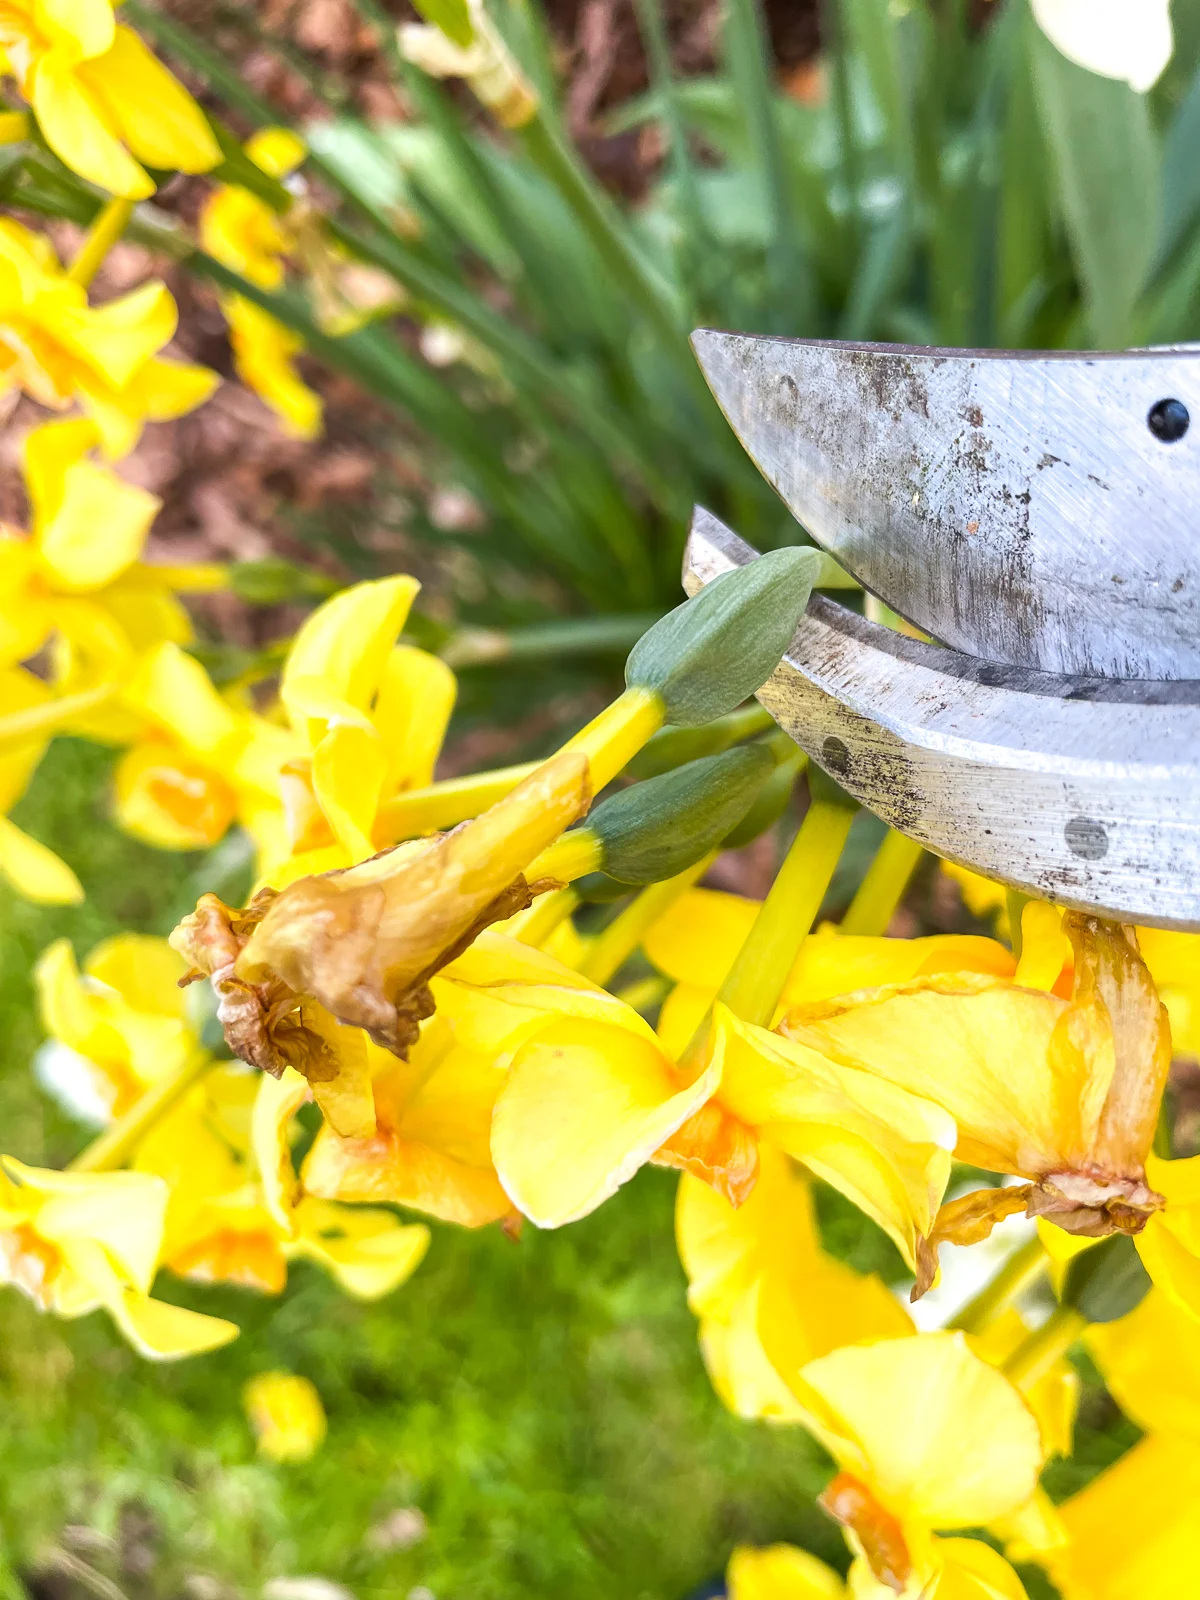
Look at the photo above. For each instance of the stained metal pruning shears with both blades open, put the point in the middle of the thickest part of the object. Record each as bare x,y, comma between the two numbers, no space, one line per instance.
1038,518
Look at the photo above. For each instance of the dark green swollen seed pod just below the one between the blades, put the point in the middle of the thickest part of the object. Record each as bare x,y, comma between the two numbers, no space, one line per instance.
660,828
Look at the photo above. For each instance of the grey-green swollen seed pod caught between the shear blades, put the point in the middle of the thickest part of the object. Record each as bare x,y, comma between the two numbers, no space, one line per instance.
706,657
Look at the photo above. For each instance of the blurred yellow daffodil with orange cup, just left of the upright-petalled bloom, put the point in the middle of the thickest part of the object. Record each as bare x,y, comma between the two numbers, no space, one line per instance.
199,762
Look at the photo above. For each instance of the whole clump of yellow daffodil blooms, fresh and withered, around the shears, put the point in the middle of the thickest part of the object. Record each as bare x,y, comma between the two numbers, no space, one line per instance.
410,983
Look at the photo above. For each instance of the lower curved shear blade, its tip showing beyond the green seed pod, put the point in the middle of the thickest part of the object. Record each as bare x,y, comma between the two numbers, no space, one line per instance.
1082,791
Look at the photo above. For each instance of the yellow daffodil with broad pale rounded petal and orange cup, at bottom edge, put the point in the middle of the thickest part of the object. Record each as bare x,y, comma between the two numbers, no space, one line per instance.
927,1438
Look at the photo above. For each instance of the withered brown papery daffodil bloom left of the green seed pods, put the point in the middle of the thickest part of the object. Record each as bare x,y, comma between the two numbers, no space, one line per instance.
361,945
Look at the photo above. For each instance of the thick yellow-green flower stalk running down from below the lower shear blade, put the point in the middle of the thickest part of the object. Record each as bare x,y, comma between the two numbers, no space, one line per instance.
786,919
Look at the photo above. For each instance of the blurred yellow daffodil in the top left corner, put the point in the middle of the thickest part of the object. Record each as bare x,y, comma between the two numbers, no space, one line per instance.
102,100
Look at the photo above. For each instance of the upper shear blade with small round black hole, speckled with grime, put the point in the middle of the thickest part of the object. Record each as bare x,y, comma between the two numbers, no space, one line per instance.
1014,506
